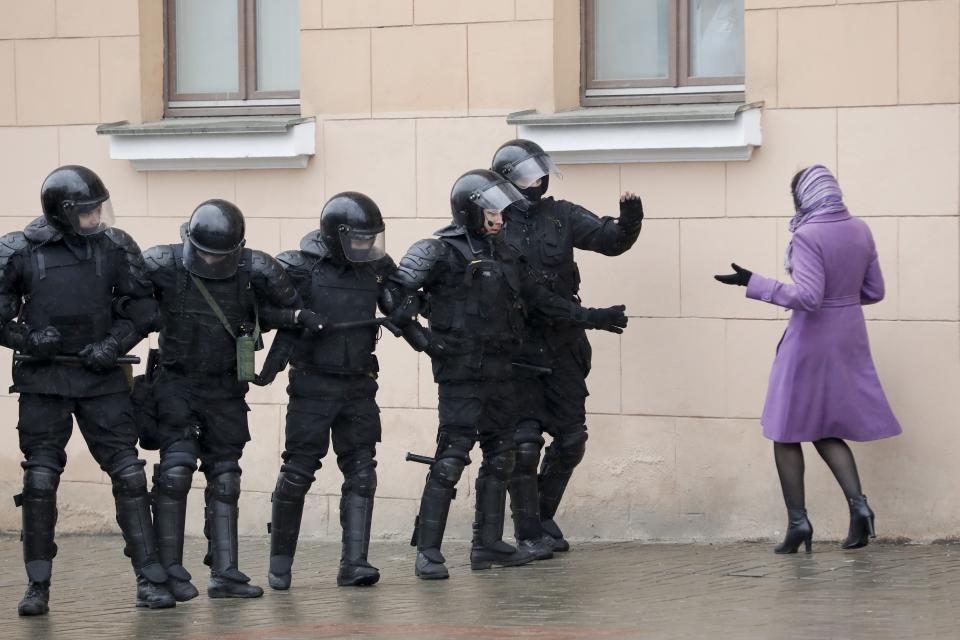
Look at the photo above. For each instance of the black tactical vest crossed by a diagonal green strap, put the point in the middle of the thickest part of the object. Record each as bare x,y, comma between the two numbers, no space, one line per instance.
193,339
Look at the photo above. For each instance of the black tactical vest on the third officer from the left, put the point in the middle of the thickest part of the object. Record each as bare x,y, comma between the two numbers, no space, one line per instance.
341,295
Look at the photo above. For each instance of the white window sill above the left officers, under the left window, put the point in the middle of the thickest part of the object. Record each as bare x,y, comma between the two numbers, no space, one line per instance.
264,142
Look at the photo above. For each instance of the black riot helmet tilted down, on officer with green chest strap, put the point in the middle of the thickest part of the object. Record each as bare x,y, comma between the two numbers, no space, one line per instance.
213,239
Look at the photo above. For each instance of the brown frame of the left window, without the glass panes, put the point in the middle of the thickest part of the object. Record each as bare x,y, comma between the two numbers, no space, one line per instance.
247,100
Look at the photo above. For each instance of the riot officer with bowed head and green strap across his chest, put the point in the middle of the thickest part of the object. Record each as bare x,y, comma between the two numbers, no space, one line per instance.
214,294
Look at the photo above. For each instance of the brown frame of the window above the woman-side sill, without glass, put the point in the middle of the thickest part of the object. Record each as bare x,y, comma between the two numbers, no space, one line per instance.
678,77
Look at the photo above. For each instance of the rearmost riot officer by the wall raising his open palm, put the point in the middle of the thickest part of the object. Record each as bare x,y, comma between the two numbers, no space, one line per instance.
546,233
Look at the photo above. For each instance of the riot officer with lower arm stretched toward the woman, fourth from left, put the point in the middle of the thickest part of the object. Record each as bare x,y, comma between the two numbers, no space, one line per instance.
476,292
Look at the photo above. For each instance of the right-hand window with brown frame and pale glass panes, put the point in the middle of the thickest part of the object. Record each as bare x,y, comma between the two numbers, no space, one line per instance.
662,51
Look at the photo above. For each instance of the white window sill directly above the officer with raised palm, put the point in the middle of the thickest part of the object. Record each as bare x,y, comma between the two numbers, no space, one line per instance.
654,133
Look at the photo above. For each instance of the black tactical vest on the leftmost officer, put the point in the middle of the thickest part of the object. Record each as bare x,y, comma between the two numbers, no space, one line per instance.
75,295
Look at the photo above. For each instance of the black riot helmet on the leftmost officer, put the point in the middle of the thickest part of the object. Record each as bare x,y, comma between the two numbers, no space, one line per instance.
75,201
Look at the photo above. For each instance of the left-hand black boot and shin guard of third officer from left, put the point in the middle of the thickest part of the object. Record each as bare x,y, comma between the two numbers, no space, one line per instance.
287,513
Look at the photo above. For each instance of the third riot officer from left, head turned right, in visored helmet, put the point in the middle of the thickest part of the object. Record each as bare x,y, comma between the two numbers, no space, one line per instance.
339,273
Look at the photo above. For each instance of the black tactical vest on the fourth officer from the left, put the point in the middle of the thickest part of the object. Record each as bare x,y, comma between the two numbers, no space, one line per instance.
480,302
